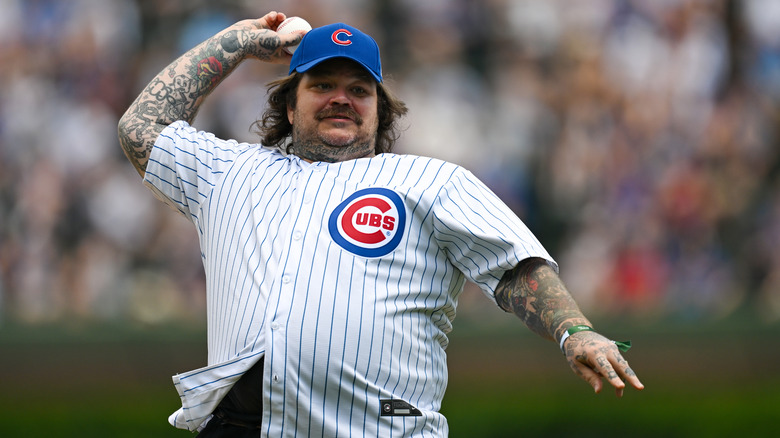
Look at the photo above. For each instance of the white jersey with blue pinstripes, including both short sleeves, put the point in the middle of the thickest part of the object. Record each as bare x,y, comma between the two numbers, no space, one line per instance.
344,276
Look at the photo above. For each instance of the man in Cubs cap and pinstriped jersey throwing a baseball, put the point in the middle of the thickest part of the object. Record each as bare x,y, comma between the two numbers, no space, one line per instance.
333,270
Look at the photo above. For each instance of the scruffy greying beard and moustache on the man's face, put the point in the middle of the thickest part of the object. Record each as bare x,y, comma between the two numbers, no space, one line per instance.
310,143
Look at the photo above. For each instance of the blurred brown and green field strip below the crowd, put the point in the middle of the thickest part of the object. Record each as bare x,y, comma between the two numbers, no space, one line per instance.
717,380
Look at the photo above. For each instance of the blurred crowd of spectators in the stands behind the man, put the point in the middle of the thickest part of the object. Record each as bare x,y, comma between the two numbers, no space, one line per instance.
637,139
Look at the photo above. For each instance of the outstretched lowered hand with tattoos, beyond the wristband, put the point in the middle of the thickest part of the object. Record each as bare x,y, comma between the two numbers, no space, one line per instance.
593,357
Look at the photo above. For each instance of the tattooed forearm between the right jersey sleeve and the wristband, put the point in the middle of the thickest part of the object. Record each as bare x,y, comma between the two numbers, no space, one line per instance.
534,292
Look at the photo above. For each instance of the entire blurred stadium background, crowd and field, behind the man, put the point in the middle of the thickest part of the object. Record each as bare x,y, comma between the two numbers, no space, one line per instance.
636,138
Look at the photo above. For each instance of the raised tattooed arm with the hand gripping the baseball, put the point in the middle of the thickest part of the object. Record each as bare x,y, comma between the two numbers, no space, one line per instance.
177,92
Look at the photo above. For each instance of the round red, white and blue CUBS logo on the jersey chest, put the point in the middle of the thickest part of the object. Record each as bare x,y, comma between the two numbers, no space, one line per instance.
369,223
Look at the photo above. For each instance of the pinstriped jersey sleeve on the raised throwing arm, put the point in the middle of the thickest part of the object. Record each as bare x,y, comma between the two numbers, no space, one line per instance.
185,164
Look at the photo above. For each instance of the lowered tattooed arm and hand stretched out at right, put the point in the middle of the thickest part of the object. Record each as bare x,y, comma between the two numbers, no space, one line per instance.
535,293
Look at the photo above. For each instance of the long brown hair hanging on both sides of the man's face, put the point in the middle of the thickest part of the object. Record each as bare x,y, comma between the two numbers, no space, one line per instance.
274,128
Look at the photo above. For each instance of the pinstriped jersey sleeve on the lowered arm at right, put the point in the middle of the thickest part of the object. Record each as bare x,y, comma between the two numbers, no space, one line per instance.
483,237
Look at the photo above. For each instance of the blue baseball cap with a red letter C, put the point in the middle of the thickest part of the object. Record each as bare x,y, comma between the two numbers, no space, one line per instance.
337,40
